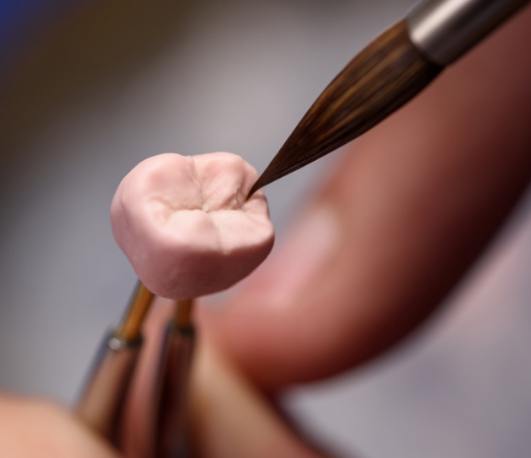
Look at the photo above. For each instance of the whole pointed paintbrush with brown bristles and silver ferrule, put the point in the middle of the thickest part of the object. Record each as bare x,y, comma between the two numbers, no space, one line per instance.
387,74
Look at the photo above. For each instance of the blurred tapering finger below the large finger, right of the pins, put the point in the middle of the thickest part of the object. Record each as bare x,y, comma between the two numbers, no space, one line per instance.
231,419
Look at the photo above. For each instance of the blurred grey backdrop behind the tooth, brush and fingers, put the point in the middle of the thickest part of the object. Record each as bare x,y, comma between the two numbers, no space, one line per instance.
88,89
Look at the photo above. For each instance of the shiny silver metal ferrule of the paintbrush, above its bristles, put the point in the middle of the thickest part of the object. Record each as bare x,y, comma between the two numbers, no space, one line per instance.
443,30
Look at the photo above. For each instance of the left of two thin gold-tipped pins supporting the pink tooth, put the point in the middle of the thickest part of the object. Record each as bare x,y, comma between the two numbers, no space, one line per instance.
101,402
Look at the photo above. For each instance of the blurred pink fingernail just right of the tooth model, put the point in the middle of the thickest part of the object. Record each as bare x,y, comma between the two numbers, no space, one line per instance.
308,246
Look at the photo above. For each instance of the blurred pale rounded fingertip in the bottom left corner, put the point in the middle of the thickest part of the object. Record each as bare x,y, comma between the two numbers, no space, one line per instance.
36,428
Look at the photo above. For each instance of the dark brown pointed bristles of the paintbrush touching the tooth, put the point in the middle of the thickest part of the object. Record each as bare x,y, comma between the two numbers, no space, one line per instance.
384,76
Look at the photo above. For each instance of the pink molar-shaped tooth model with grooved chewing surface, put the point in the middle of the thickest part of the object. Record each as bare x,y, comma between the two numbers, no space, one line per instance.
185,224
